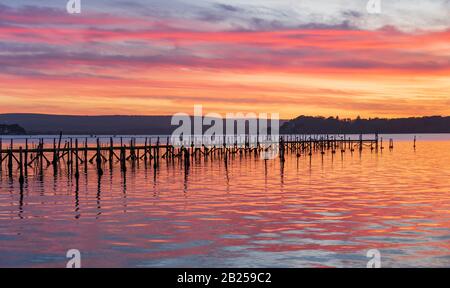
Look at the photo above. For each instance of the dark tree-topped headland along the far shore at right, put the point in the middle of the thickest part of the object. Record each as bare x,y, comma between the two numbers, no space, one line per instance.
334,125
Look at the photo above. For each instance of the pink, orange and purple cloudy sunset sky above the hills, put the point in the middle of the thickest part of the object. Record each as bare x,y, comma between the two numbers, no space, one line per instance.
155,57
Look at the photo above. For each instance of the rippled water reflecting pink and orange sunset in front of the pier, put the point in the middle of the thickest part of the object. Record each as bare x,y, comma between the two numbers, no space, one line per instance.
324,211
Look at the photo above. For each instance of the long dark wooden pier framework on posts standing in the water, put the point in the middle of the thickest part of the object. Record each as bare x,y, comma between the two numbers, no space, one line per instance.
78,153
